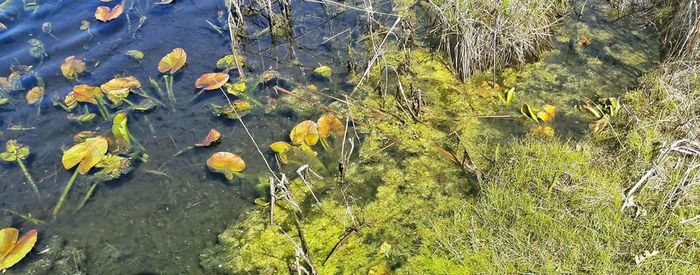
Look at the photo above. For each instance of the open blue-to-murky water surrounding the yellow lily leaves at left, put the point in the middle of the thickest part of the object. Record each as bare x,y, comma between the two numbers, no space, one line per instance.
159,217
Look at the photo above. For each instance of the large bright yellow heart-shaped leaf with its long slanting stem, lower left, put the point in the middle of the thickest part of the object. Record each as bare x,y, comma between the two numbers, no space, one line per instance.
86,155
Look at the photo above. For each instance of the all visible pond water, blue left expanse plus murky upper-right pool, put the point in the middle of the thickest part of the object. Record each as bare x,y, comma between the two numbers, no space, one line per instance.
160,216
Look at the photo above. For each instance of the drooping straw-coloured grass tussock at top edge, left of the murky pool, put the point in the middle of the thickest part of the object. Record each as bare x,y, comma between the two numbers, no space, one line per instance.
480,35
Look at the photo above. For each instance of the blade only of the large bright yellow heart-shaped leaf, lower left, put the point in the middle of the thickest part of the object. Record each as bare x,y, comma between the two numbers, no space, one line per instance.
88,153
